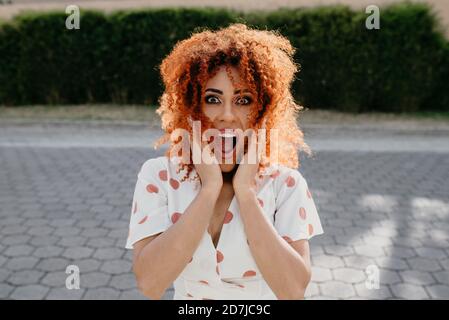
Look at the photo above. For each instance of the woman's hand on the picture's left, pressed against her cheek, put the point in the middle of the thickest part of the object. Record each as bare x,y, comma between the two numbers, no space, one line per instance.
208,169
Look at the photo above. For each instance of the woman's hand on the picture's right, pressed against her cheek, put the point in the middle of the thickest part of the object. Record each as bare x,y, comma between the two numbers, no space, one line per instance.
245,176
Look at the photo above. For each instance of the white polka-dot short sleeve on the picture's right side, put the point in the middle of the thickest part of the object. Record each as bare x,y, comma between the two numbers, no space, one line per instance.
296,216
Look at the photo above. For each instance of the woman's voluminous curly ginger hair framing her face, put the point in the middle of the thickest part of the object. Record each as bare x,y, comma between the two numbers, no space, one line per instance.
265,63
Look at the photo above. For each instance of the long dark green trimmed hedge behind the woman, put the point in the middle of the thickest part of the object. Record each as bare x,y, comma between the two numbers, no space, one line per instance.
402,67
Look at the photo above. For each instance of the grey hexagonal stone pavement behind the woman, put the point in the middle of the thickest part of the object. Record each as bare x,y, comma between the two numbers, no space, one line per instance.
65,198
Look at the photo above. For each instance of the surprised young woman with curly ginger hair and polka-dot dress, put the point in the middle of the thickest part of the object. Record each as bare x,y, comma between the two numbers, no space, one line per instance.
226,229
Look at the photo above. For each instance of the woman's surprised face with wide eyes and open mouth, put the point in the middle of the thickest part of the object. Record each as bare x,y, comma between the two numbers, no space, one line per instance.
226,109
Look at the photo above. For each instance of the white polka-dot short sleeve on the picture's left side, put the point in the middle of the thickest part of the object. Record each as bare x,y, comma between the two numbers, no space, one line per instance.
149,211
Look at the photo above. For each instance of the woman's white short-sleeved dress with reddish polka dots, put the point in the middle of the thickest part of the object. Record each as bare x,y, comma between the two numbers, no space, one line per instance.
228,271
